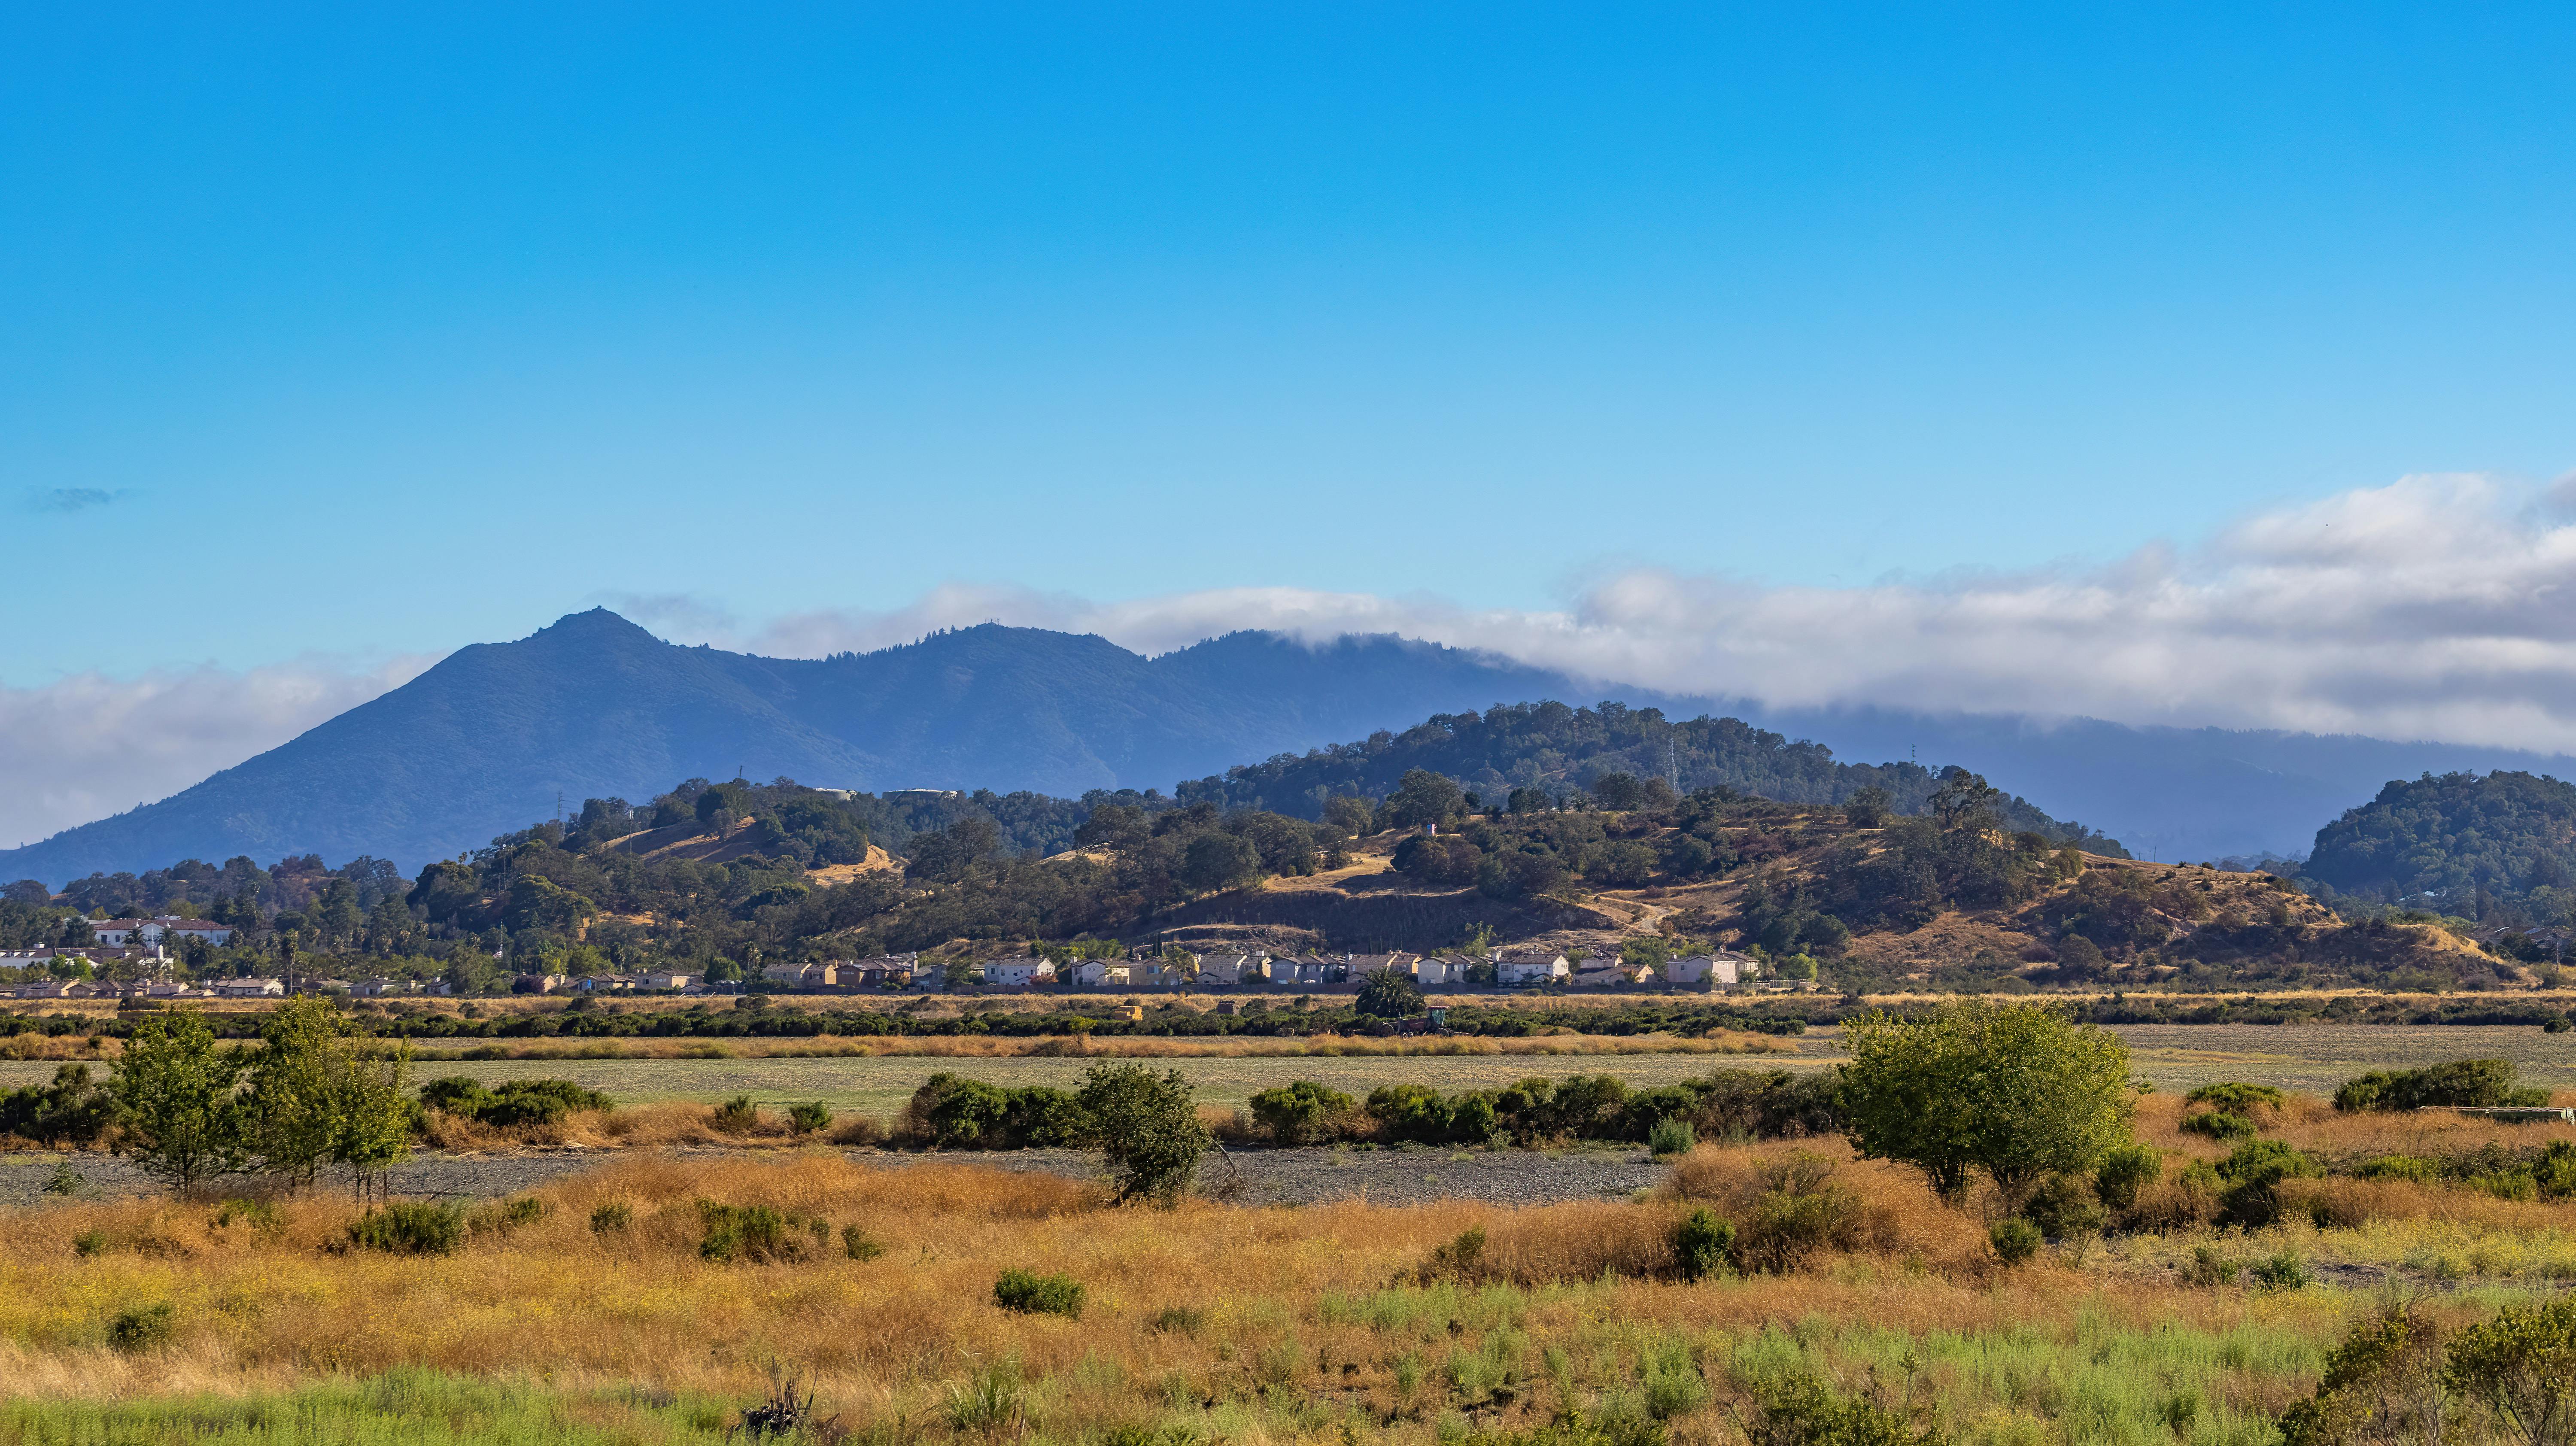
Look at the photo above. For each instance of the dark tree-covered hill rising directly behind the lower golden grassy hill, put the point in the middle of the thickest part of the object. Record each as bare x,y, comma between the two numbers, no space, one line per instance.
1552,751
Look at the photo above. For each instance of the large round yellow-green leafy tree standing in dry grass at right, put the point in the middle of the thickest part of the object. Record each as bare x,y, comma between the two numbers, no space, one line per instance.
2013,1092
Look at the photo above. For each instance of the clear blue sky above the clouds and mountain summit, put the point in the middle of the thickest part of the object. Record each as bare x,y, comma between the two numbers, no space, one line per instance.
388,334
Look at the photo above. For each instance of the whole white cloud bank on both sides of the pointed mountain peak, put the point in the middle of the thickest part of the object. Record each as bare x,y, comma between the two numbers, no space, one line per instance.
2428,610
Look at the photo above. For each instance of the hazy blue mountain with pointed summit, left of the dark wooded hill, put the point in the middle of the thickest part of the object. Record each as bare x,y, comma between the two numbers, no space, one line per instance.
599,708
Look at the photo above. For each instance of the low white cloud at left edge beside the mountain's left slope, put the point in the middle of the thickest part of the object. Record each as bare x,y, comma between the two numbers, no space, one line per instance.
94,746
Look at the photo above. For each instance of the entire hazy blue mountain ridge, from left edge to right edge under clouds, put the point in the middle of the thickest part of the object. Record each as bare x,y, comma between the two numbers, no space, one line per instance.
601,708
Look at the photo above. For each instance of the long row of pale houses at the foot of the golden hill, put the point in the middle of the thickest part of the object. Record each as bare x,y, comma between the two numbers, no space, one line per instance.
1511,970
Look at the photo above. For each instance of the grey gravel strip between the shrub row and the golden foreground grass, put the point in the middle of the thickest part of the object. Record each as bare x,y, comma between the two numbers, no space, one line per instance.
1248,1177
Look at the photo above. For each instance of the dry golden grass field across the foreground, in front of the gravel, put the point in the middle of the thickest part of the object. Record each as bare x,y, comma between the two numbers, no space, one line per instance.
1315,1303
